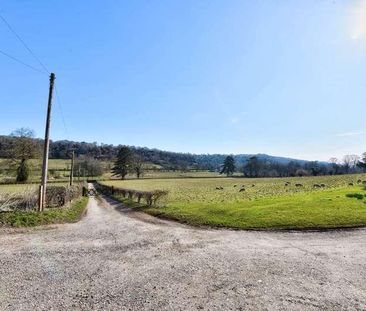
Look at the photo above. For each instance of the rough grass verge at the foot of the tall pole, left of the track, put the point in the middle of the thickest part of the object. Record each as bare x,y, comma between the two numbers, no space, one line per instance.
49,216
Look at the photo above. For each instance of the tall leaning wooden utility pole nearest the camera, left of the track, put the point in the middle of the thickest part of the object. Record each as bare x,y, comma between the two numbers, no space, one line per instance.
43,187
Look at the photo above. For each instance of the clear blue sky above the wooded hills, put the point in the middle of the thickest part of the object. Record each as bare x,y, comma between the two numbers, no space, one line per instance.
279,77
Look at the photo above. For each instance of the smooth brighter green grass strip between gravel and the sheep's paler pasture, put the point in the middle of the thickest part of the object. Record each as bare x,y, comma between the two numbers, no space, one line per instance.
327,209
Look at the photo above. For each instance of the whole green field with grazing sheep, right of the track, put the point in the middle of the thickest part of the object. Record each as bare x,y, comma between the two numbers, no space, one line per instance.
266,203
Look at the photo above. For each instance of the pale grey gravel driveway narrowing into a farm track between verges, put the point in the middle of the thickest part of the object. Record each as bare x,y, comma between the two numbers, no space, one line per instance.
116,259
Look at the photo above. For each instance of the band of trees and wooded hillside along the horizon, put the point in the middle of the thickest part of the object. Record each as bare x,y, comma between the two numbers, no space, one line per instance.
21,146
